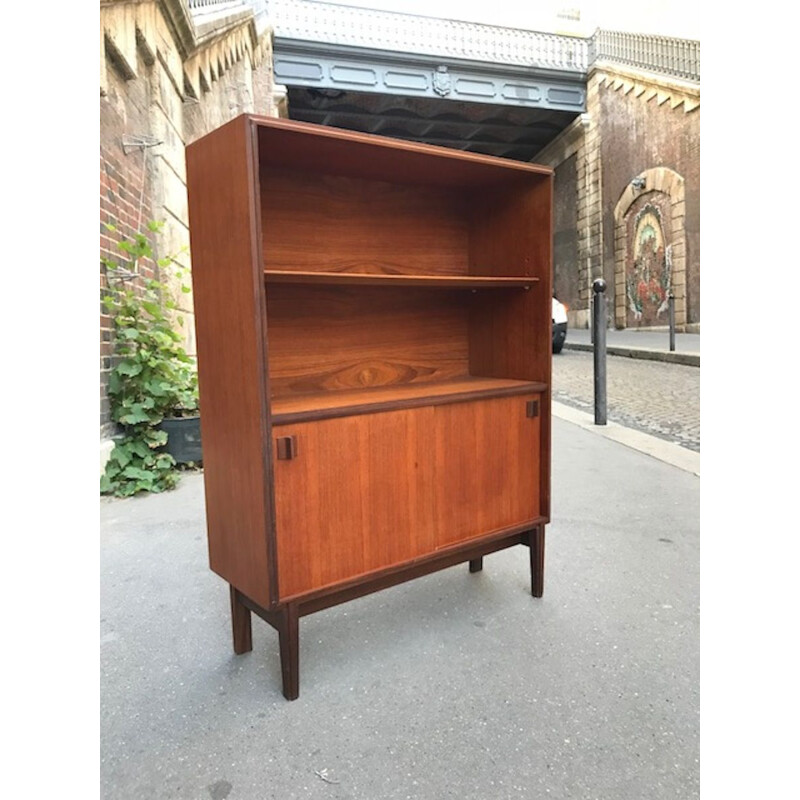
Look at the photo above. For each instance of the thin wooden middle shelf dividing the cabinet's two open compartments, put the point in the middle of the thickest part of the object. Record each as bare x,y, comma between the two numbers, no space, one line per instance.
380,279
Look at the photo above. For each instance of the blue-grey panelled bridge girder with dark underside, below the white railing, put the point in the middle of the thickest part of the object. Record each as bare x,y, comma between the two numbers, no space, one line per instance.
498,110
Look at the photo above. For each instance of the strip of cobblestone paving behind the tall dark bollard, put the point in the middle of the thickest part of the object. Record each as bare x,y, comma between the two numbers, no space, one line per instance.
651,396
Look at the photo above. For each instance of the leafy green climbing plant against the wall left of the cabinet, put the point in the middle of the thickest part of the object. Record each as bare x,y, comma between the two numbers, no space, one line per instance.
152,376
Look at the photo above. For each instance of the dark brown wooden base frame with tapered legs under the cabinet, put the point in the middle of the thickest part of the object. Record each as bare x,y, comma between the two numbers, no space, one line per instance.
285,616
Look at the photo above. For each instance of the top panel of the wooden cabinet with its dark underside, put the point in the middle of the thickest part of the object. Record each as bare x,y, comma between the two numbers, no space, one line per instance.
322,149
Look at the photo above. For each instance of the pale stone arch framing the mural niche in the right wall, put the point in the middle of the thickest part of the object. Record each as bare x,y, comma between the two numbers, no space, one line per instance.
669,183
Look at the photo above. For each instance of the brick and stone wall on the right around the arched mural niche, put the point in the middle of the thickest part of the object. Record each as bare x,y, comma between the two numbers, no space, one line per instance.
636,126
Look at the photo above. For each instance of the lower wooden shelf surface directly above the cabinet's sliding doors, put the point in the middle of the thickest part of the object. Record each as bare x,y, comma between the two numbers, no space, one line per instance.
351,402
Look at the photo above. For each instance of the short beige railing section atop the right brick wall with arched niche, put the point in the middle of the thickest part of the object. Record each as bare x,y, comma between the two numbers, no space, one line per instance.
679,57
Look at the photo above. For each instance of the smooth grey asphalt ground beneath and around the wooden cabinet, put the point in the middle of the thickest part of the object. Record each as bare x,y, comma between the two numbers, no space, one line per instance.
453,686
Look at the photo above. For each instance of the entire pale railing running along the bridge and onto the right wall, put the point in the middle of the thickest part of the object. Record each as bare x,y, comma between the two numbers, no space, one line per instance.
410,33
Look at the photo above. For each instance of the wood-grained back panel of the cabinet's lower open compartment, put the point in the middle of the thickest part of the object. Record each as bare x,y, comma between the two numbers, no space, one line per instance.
324,338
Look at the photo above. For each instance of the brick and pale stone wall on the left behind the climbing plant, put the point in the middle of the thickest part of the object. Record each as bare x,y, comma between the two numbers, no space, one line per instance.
163,84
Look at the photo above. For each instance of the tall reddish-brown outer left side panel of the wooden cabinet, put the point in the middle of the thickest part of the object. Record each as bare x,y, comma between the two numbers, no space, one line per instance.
229,305
